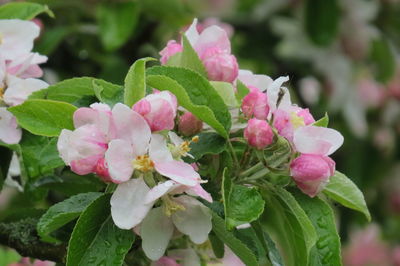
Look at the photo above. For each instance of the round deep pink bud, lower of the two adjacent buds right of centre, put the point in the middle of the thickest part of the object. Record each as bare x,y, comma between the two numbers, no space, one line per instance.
258,133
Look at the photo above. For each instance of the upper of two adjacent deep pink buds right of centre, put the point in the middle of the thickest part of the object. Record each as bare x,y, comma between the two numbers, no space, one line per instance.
255,104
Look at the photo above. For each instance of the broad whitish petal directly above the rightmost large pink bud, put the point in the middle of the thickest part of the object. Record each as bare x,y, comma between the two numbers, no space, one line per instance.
317,140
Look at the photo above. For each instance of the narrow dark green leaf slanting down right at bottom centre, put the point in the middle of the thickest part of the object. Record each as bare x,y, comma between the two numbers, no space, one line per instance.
240,249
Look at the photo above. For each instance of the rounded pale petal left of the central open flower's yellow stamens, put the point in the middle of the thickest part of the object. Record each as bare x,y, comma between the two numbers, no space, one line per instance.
119,158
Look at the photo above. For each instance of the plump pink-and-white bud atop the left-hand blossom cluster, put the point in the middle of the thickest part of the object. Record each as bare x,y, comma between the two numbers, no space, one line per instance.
158,109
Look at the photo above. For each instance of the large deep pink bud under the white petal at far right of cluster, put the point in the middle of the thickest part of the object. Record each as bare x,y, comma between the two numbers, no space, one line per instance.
311,172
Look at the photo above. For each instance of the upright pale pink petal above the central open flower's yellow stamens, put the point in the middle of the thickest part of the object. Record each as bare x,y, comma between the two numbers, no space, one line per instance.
131,127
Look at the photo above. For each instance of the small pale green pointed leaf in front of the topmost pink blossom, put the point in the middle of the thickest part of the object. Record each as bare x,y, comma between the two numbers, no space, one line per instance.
190,59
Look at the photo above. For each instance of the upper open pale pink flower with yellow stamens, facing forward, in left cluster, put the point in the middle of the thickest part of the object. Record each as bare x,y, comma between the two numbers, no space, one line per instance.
137,149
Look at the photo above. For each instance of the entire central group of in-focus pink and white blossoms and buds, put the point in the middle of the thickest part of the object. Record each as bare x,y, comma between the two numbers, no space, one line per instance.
138,147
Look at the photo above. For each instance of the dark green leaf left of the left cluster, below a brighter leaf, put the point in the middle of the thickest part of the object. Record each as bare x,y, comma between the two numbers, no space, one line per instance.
39,154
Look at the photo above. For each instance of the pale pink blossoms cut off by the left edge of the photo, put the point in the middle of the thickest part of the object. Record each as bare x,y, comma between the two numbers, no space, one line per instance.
19,70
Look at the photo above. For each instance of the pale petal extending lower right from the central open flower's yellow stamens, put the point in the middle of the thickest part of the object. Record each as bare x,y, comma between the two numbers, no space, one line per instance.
180,172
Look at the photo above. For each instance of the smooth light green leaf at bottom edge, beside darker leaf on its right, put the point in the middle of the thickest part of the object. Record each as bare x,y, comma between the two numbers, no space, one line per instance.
288,225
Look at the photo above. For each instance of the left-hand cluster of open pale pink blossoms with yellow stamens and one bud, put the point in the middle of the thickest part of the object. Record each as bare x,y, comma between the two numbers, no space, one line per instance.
134,148
